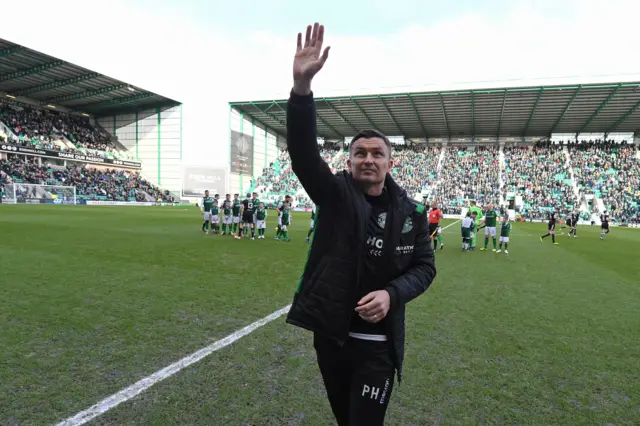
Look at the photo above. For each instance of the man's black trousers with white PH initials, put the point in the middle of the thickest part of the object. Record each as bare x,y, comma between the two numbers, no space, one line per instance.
358,378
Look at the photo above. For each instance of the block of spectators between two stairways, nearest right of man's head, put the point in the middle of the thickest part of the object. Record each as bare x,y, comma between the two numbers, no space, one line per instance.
468,173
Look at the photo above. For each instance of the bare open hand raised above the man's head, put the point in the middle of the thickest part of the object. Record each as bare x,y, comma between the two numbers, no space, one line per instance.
308,61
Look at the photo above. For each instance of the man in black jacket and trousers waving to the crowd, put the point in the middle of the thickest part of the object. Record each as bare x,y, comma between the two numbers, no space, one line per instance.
370,256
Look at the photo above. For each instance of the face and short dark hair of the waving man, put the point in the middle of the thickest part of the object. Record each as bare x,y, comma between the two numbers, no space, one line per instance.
369,160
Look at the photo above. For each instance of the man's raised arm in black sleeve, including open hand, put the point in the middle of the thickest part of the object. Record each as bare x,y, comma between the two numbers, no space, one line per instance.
312,171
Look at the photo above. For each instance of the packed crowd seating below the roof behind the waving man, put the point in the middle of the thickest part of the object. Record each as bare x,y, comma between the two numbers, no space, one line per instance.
539,173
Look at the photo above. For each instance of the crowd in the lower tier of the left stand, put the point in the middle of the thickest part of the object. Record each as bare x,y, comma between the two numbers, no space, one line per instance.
91,183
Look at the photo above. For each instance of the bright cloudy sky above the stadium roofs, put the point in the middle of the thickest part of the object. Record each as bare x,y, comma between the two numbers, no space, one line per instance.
207,53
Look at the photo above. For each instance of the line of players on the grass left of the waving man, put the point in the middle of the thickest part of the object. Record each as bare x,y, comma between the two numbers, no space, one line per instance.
239,218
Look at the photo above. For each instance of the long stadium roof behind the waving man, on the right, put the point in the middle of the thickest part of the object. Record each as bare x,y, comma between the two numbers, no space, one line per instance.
514,111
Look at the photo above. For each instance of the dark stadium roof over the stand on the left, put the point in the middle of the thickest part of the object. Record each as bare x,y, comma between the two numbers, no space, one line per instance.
50,81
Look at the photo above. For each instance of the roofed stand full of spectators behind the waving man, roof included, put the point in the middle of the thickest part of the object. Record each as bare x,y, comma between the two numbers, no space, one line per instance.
494,142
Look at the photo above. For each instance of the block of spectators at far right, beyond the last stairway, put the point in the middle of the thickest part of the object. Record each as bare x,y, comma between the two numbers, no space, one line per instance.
610,171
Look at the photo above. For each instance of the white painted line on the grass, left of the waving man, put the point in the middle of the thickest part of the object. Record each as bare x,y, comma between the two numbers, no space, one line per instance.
144,384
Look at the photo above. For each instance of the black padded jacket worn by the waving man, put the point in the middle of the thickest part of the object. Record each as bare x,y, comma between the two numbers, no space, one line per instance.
327,292
